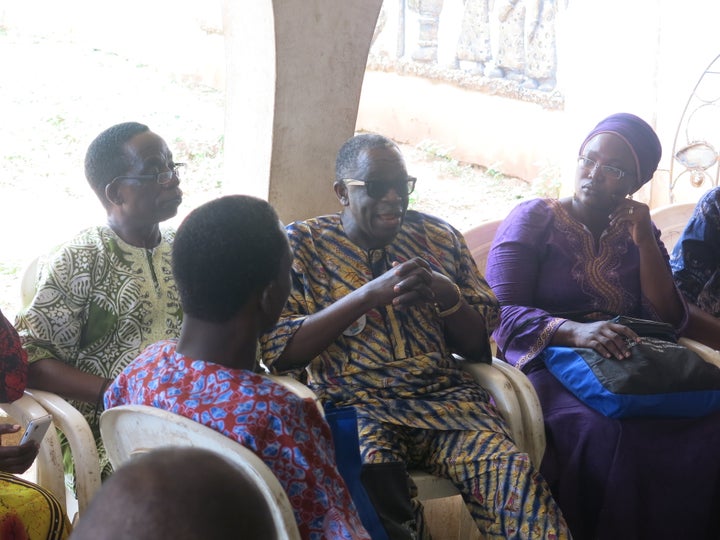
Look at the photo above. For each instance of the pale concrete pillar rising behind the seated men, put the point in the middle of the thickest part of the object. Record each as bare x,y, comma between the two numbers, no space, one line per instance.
294,75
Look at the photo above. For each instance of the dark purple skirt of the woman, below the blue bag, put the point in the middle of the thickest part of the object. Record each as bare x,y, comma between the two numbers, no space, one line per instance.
653,479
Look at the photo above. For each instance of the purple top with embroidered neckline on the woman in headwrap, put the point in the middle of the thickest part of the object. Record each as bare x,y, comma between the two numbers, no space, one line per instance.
544,262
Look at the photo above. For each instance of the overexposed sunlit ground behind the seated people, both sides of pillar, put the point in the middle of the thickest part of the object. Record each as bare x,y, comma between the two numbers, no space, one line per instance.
59,92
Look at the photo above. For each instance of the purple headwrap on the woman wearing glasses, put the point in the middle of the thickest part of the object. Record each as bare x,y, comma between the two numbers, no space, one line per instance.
641,138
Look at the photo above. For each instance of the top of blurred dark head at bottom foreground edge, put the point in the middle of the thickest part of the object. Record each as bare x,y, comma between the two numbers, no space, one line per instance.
178,494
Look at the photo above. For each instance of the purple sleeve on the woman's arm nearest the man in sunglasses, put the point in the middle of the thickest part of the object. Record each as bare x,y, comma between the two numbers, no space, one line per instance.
513,271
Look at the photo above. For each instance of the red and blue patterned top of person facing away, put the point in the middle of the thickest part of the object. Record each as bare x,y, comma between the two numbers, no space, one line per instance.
287,432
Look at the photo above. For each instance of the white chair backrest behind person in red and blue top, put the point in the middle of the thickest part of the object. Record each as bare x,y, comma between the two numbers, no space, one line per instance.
130,430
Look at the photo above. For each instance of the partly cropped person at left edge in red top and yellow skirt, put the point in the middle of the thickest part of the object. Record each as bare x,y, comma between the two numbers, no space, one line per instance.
27,511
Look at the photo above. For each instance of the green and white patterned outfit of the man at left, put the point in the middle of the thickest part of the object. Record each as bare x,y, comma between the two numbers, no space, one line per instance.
99,303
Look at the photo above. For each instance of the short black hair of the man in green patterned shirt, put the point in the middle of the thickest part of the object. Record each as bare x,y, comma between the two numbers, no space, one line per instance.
106,158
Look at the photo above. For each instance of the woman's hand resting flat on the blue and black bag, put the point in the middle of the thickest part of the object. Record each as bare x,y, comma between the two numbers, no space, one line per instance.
607,338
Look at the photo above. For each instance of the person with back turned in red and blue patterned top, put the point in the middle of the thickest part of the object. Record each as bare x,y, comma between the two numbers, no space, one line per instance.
231,262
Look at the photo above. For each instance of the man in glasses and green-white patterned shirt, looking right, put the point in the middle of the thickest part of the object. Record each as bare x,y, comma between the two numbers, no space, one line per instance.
107,293
